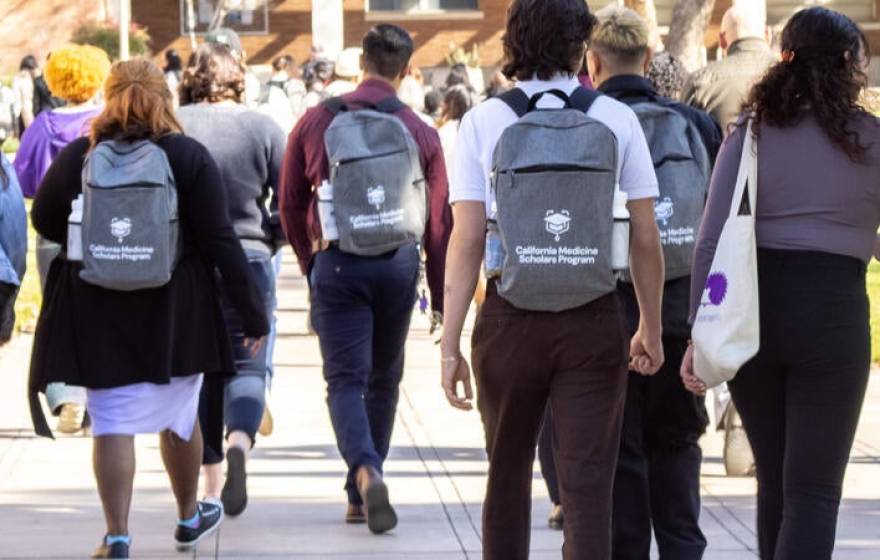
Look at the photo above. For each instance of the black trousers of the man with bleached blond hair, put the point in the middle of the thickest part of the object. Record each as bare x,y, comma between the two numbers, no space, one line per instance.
657,484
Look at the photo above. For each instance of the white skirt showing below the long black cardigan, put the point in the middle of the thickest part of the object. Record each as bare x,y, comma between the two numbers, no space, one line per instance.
146,408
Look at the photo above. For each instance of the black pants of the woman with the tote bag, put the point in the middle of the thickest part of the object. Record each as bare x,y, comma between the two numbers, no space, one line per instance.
801,396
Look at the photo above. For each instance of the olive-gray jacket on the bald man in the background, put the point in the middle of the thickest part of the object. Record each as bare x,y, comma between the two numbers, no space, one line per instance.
721,88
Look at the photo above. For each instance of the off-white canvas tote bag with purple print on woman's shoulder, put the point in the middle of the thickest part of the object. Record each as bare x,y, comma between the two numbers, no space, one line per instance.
726,332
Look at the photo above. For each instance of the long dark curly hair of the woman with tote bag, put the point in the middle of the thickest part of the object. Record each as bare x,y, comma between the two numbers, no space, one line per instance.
821,74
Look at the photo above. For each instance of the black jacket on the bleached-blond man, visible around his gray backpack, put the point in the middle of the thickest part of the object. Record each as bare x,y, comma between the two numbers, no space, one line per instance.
676,295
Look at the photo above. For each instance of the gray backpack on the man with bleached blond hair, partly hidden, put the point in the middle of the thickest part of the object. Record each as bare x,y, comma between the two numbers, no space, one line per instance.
683,172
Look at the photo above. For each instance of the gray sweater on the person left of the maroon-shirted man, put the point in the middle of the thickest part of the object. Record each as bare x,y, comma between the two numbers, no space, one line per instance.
248,148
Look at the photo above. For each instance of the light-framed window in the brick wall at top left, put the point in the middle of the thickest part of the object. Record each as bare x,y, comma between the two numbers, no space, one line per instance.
247,17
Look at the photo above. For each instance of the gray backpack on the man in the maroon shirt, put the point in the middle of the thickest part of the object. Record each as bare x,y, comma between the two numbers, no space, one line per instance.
379,192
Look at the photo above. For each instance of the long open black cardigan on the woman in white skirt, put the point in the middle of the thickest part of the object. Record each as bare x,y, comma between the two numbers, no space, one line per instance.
99,339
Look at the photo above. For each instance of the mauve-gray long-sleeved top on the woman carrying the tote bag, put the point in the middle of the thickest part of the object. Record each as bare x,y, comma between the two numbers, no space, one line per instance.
811,196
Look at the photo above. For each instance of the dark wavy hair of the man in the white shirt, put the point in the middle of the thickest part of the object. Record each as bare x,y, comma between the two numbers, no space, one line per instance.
545,37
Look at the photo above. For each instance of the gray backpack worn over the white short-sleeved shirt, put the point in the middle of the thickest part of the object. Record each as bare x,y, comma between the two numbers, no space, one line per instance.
554,178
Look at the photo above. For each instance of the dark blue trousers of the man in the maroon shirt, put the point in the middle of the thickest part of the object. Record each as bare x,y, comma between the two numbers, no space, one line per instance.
361,310
